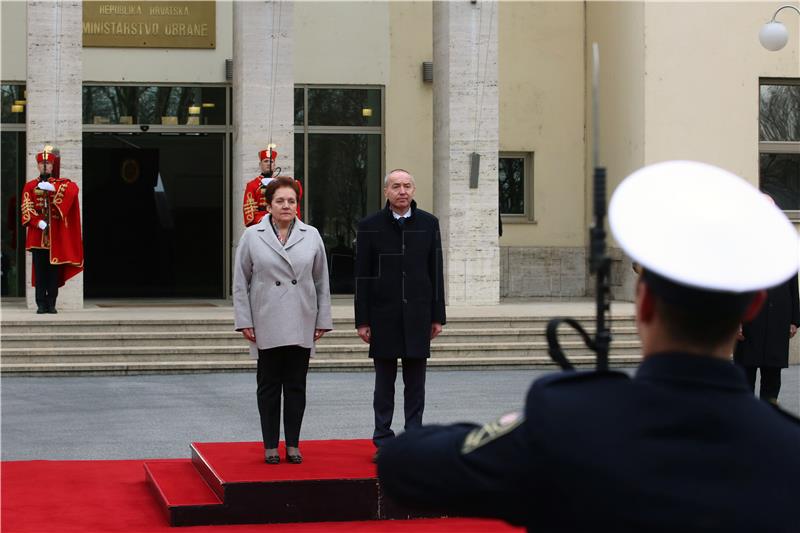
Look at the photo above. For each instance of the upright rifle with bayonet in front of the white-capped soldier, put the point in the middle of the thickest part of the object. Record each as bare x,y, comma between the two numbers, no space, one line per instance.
599,262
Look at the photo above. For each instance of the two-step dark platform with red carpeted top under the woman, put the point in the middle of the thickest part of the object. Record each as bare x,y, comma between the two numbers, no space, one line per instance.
229,483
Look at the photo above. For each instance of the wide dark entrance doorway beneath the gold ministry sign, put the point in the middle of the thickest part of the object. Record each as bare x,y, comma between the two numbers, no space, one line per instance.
153,215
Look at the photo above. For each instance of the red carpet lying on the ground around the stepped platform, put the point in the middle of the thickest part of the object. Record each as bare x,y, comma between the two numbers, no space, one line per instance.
112,496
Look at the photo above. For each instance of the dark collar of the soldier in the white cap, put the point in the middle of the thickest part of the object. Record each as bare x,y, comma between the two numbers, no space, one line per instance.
692,369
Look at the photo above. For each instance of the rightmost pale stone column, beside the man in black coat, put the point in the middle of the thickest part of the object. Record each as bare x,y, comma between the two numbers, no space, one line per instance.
465,120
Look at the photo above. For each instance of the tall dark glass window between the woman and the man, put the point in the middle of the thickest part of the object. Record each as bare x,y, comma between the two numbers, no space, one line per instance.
339,160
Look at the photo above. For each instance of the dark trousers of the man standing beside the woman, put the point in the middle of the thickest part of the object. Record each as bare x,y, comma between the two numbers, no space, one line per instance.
383,399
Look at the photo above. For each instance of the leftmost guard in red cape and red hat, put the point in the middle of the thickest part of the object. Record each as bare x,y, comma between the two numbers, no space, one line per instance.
51,213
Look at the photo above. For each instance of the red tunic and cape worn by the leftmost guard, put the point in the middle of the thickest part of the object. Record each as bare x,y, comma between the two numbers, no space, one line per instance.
63,233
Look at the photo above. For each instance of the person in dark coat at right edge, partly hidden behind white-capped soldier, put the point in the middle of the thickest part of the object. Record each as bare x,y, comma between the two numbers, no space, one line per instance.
764,342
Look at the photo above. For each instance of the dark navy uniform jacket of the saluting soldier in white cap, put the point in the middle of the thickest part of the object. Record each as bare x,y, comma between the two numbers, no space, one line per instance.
683,446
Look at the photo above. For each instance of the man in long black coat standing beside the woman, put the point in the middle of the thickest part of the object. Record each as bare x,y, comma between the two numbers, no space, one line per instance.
399,300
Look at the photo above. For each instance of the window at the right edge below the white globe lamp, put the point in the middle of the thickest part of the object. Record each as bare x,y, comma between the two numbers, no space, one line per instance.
779,143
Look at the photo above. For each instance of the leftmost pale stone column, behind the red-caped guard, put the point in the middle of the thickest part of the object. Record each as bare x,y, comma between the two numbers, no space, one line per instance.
55,72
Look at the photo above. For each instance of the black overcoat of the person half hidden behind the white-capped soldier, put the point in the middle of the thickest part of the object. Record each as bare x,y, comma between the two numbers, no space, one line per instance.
766,338
